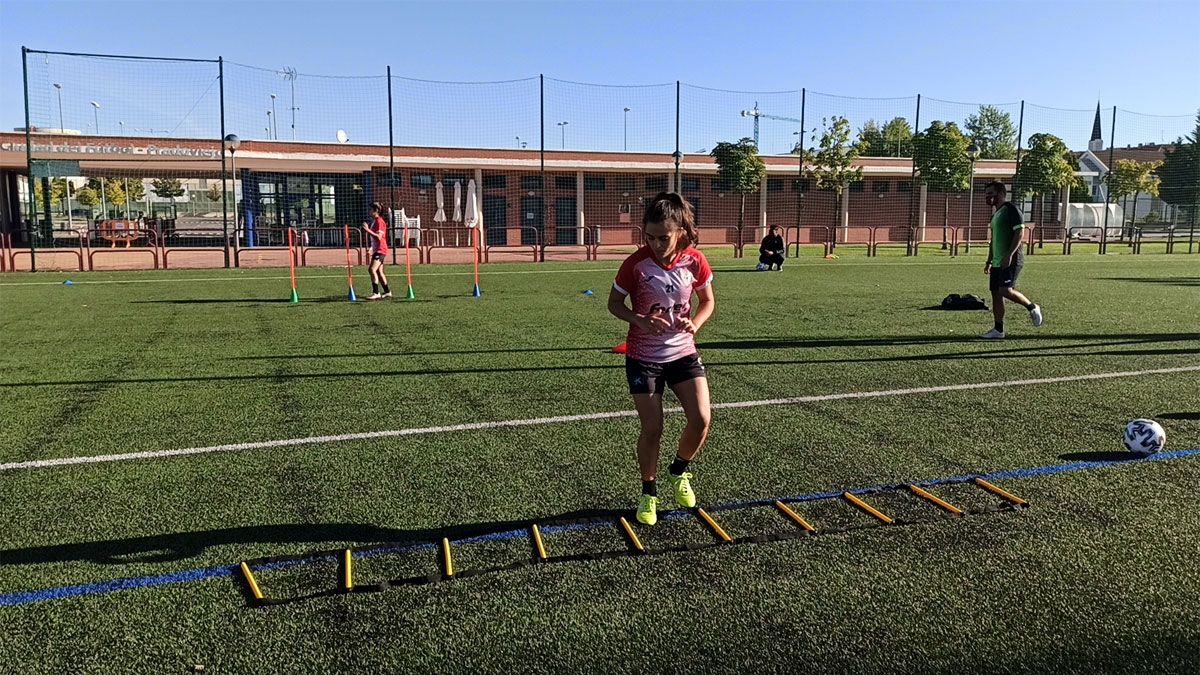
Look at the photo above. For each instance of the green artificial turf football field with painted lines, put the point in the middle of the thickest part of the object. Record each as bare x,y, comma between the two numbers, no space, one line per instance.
1099,575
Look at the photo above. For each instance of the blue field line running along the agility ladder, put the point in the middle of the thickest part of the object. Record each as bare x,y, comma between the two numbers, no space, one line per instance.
61,593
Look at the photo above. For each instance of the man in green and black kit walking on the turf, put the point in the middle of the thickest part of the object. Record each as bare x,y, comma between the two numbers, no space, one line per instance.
1006,260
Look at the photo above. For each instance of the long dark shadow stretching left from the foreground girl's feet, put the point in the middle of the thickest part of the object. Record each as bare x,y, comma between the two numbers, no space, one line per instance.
182,546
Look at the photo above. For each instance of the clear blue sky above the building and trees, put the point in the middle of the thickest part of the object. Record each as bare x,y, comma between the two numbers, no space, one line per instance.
1135,56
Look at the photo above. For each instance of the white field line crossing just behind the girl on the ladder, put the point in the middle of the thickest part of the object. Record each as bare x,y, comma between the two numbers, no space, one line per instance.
562,420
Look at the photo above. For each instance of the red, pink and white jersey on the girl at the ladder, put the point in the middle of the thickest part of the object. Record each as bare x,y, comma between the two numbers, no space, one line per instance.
665,291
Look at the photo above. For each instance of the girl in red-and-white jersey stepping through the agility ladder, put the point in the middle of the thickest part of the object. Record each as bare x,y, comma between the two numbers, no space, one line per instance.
661,280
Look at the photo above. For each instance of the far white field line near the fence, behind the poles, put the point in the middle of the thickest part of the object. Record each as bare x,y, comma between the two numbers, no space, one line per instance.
807,261
